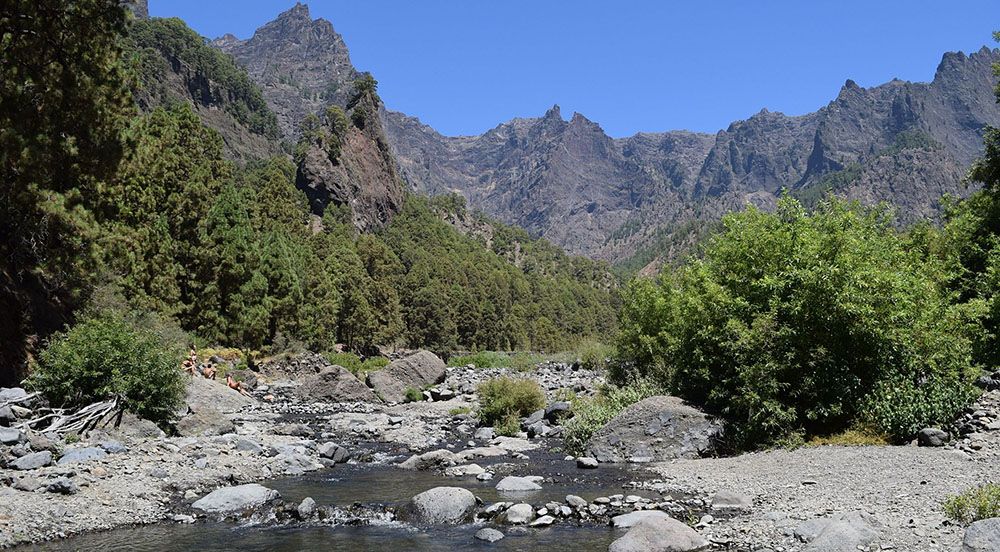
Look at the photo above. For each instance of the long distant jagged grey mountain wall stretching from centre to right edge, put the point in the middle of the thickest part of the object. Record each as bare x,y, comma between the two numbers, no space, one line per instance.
906,143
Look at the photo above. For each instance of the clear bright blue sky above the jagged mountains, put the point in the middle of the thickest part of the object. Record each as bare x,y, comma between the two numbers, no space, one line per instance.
464,66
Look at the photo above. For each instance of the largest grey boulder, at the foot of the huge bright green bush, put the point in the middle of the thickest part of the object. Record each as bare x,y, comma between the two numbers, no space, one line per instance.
655,429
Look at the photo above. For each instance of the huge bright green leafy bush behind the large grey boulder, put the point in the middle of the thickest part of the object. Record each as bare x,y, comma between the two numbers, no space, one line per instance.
805,323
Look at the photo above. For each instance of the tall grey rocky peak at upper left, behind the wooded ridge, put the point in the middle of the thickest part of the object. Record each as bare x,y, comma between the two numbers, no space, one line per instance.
301,64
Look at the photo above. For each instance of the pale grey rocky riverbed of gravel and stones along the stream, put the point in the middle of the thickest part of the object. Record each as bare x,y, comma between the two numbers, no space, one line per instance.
809,499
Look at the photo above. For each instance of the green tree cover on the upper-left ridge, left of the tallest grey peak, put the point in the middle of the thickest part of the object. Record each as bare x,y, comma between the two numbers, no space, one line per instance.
156,39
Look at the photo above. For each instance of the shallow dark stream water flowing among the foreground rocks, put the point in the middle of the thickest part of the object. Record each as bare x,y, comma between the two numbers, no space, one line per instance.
379,484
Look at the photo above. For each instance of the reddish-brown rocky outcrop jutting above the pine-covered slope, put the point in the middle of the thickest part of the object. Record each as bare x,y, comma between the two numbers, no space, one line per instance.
352,166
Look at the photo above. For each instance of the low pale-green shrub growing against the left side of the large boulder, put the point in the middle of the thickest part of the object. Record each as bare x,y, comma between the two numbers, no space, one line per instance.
592,413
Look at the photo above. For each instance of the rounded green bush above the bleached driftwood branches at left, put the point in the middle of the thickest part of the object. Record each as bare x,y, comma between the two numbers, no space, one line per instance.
103,358
